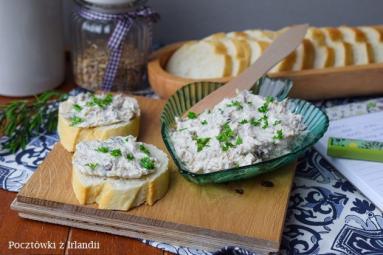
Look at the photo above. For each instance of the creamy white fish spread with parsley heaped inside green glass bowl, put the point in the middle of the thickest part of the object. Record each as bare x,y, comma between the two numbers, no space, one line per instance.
237,132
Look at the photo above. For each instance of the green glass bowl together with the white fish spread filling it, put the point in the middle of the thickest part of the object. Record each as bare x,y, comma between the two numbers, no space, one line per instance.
257,131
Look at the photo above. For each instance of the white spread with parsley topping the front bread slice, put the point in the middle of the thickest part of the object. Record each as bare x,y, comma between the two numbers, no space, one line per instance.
119,157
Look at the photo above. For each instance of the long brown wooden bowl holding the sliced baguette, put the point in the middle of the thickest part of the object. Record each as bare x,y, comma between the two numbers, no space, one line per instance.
314,84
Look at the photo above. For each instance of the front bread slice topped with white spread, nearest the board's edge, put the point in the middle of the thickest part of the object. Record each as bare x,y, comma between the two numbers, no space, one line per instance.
119,173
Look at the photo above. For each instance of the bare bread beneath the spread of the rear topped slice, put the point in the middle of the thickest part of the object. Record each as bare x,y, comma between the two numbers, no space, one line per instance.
71,135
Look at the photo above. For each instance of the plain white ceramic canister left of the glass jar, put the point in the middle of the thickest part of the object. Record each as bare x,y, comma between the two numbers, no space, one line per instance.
31,46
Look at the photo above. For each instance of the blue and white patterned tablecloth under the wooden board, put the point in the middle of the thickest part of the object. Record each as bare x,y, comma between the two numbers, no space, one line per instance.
326,213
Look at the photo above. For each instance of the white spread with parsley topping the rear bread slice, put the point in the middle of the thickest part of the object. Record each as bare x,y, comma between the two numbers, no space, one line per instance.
92,110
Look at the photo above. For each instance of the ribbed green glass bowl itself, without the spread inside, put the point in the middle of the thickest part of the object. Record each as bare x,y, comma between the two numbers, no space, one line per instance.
315,120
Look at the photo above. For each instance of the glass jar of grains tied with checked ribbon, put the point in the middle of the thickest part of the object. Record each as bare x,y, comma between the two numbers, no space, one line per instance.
110,44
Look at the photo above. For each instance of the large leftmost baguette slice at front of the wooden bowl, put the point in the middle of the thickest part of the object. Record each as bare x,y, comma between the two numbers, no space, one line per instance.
200,60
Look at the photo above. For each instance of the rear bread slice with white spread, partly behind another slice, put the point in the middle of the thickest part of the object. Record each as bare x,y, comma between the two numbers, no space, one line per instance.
88,116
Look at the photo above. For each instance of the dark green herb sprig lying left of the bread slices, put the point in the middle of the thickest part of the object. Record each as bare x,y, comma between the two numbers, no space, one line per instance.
21,119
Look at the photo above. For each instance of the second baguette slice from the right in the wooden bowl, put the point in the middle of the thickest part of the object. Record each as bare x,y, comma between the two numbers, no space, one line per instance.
362,50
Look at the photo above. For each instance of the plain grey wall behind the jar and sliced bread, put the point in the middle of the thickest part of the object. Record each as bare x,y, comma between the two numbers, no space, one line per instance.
189,19
